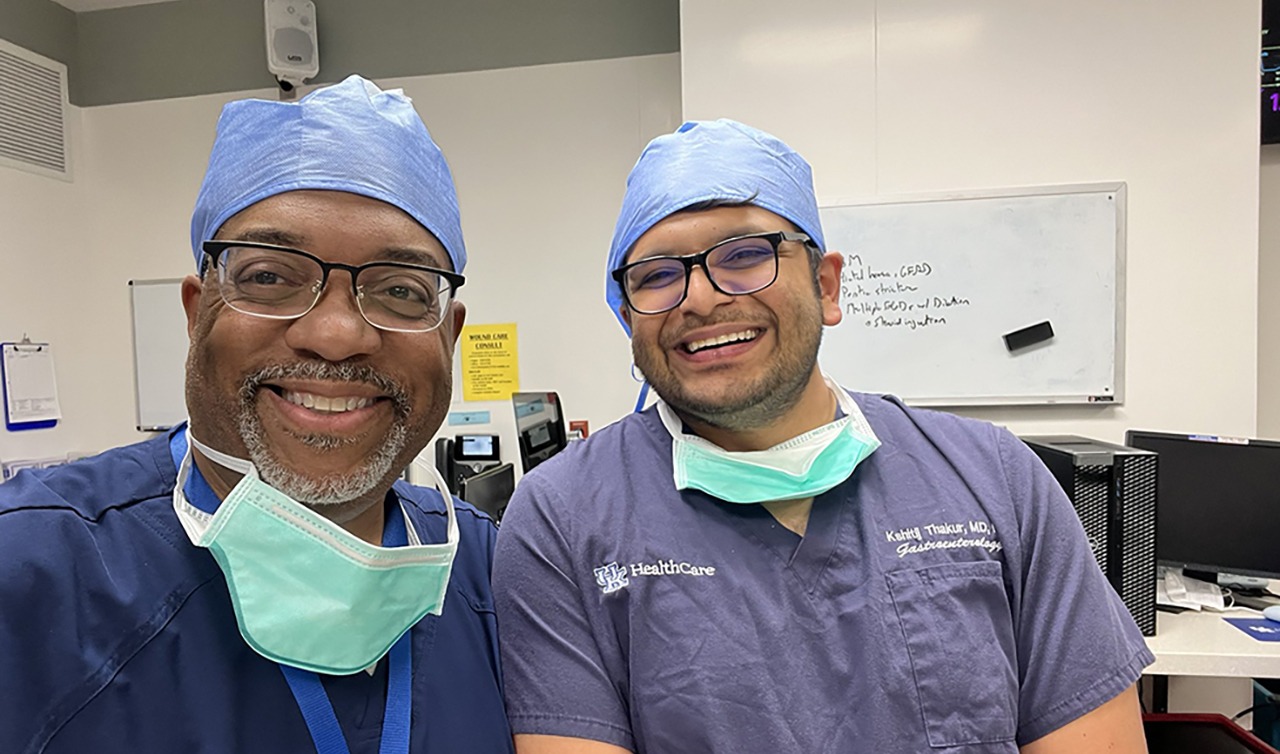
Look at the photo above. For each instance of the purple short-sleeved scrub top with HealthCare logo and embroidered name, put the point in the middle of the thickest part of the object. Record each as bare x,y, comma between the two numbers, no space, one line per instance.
945,598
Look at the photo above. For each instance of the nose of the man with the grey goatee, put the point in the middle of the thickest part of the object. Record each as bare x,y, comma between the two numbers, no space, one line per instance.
335,330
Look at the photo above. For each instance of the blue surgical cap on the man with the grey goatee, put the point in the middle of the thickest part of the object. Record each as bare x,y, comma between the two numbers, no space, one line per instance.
349,138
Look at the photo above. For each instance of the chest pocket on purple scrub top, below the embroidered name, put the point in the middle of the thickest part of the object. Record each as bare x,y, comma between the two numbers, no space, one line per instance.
959,636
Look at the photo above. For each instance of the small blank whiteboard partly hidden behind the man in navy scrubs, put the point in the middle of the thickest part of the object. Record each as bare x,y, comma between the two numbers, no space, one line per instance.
159,354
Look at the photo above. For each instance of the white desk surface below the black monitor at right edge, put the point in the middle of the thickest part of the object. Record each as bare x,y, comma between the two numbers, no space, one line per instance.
1204,645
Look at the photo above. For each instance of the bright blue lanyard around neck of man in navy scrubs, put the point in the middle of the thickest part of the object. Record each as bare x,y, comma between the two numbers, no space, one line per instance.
307,687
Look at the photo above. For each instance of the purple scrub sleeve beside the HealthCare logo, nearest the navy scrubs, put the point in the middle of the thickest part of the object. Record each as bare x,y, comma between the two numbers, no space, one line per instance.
556,674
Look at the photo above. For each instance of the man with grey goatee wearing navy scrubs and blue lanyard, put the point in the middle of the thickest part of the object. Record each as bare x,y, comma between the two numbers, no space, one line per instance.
259,581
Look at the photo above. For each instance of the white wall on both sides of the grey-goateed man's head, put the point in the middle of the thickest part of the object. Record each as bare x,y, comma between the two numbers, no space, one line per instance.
540,156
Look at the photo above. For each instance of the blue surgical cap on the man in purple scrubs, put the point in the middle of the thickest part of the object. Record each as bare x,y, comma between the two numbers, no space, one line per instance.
711,161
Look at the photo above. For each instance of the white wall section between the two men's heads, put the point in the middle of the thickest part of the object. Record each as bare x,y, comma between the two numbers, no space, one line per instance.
541,157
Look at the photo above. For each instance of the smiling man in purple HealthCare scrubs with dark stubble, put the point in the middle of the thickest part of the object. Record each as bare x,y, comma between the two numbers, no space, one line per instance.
765,563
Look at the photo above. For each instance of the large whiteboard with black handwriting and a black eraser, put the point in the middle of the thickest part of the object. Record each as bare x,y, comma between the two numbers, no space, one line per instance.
931,286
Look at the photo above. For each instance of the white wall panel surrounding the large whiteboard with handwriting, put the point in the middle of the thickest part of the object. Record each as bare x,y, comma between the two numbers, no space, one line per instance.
970,95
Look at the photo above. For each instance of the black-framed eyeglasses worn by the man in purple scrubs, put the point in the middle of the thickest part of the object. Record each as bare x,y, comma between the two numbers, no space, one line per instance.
735,267
